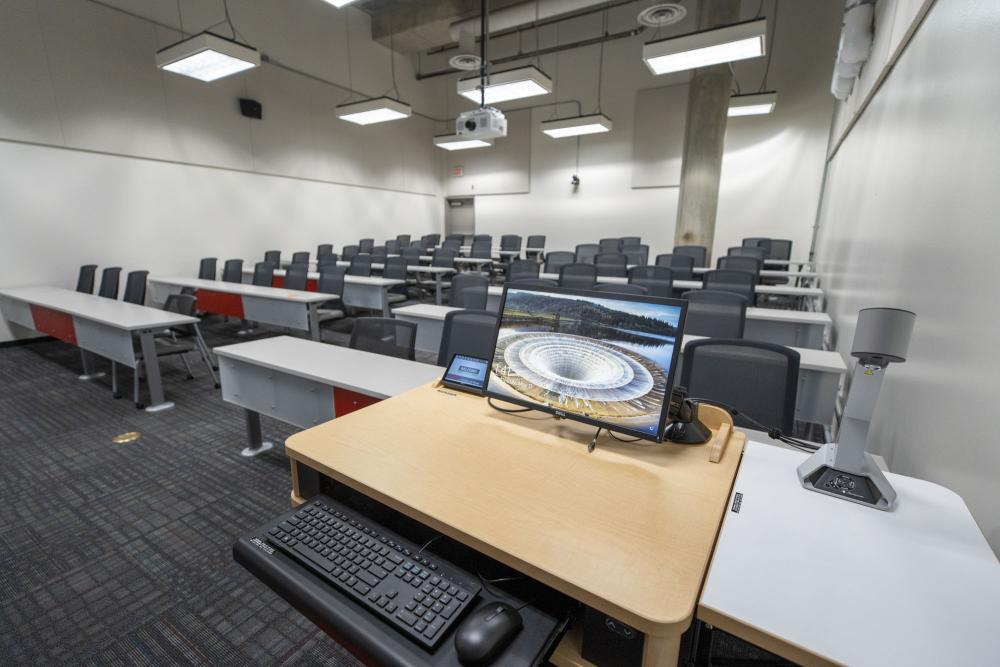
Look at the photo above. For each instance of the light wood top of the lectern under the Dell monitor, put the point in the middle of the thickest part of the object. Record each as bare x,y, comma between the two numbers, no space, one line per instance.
627,529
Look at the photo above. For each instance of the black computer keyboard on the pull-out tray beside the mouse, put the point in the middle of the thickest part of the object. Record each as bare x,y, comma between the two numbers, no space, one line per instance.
421,596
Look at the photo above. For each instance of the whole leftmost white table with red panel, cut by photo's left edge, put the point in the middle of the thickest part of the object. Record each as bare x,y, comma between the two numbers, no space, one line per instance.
96,325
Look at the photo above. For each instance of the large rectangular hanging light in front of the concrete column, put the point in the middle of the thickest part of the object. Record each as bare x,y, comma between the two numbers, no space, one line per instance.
709,47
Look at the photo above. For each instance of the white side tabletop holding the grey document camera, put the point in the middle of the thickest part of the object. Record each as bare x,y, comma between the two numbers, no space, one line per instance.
850,584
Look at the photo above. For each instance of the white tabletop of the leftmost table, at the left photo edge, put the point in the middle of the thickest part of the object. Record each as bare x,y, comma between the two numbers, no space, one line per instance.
118,314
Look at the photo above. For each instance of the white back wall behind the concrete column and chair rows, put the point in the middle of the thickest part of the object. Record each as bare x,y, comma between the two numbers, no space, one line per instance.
773,165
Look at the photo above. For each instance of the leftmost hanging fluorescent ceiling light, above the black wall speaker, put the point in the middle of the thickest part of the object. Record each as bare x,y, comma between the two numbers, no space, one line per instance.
207,57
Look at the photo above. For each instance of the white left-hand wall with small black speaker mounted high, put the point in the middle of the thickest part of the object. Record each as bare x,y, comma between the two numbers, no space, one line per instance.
105,159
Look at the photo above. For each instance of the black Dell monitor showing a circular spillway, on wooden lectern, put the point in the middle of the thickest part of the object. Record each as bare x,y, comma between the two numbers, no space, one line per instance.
597,357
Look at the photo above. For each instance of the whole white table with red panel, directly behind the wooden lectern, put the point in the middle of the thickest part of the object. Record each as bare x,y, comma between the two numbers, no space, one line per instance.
306,383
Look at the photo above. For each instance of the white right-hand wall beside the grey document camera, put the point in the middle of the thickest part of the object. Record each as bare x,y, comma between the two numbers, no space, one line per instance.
908,220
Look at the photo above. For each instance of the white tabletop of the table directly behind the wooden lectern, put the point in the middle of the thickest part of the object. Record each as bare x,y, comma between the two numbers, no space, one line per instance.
364,372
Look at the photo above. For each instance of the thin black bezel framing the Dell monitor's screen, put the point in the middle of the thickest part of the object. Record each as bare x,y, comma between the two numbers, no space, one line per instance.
642,298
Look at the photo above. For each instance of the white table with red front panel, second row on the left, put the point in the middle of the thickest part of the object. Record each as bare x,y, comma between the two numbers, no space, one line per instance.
293,309
